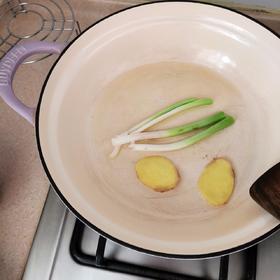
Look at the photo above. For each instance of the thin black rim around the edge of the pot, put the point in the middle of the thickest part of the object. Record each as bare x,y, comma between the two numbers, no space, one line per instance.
88,223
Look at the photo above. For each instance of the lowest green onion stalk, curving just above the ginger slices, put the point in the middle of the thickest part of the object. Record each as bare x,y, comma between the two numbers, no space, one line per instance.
227,121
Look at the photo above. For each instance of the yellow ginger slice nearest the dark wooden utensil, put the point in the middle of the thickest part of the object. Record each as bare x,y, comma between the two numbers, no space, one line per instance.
216,182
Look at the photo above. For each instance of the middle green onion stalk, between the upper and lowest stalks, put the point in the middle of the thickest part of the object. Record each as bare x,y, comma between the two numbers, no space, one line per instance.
124,139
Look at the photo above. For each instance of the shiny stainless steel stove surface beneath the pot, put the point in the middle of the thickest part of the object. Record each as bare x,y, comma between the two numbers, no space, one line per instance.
50,256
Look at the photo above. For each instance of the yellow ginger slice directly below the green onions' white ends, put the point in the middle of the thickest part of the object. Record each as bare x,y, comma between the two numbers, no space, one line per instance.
158,173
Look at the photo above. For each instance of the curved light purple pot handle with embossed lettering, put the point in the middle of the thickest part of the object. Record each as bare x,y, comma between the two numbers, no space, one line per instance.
8,66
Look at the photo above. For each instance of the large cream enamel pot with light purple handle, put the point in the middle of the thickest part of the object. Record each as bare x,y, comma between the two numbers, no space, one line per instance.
129,65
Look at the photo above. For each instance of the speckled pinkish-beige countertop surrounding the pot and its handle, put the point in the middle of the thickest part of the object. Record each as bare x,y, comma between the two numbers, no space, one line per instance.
23,184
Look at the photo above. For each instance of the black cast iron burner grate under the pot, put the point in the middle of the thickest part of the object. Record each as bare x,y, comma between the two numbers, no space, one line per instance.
99,261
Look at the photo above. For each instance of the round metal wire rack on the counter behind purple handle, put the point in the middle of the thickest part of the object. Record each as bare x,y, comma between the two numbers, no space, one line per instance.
50,20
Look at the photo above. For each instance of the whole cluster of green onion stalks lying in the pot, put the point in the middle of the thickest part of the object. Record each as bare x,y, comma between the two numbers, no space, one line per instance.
212,124
